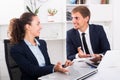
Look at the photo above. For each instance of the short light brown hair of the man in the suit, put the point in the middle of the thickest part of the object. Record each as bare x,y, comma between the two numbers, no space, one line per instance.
83,10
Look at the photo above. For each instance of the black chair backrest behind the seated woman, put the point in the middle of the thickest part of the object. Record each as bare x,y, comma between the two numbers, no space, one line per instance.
13,69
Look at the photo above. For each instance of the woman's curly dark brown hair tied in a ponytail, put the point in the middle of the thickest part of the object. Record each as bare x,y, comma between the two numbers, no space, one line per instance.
16,30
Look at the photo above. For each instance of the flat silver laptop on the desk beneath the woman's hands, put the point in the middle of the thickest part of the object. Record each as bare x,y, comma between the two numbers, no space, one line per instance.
78,71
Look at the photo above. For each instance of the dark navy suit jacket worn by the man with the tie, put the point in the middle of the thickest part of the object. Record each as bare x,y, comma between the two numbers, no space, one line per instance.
98,38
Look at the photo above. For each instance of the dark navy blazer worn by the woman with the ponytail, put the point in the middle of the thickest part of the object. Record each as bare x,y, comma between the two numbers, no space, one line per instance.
28,63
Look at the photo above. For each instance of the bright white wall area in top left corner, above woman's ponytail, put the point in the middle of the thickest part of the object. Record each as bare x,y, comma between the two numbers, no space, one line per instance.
10,9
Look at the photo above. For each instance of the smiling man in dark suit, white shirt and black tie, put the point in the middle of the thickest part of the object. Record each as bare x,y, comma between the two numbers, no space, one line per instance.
94,35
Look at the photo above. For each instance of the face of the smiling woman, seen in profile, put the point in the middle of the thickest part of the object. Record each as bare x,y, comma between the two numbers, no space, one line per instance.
35,27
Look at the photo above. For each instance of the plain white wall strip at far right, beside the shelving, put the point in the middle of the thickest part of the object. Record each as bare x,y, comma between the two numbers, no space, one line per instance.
116,24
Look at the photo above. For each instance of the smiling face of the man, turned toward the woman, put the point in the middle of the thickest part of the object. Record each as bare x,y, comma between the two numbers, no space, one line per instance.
78,21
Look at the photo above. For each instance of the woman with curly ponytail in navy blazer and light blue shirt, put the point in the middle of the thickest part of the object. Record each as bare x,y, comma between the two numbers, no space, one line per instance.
28,51
